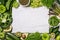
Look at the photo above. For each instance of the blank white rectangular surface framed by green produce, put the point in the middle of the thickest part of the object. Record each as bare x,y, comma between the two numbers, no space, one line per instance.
28,19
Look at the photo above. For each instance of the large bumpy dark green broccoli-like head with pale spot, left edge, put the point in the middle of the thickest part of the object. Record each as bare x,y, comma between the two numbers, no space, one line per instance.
6,20
